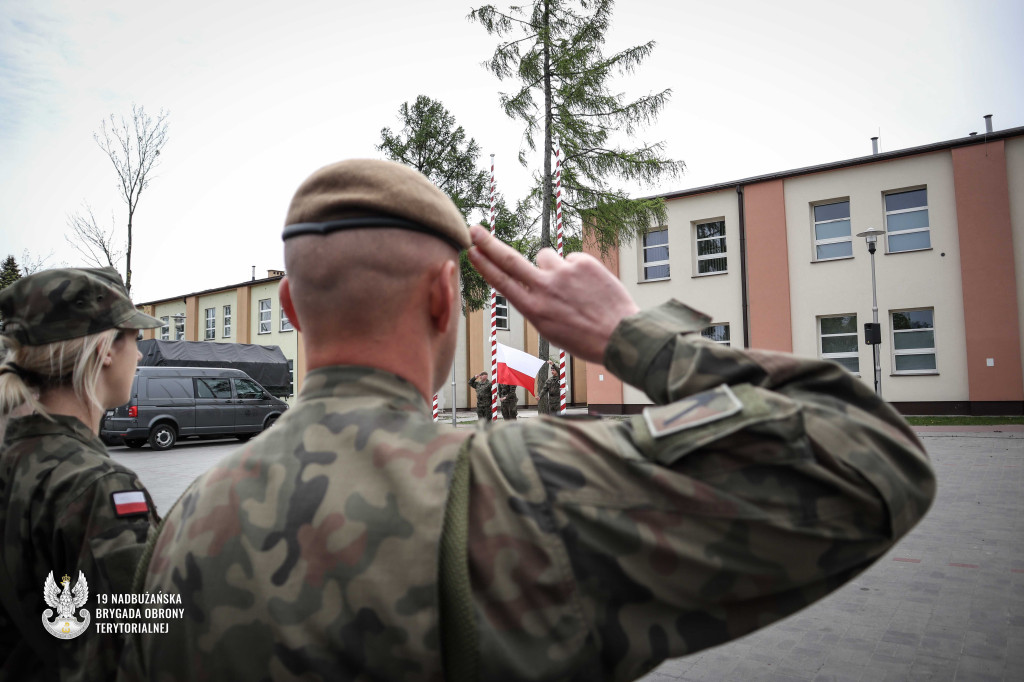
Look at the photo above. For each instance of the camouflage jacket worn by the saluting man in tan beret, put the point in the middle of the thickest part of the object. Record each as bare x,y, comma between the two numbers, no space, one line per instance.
596,549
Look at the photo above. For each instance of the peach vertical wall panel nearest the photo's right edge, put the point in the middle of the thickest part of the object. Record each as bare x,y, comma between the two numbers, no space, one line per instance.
988,273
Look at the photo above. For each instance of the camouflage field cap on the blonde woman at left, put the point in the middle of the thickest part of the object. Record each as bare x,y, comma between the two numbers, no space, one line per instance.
69,304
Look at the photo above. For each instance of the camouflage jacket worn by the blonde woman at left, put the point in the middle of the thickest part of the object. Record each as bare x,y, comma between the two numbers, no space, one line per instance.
57,514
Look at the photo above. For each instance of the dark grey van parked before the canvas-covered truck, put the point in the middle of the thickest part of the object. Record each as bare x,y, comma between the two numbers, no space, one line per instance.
173,403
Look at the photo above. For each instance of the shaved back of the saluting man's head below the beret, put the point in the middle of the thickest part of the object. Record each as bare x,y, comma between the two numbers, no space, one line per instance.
354,284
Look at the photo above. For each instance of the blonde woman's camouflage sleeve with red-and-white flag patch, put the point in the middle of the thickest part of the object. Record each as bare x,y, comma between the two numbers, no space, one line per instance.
107,549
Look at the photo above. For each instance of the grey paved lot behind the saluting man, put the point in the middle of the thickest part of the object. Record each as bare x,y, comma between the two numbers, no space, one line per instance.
948,604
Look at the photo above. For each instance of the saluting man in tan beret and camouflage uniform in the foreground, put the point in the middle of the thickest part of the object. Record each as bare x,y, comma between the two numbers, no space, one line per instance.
360,540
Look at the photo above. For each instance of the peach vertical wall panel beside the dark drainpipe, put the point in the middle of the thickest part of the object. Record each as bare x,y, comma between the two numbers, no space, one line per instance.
769,269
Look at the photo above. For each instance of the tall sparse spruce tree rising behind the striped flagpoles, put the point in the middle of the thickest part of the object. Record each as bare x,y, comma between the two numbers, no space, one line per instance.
554,51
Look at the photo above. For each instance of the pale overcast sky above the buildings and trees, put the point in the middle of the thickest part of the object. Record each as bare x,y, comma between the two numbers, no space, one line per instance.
263,94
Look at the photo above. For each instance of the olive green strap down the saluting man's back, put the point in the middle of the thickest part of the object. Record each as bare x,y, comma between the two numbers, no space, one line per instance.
459,645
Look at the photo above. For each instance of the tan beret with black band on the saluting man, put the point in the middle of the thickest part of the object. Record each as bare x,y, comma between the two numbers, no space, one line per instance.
367,193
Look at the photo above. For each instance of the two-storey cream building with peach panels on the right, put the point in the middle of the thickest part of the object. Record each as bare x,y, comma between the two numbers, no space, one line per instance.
776,261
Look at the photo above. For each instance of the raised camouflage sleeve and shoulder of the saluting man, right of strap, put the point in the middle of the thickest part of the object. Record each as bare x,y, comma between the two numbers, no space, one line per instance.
600,549
